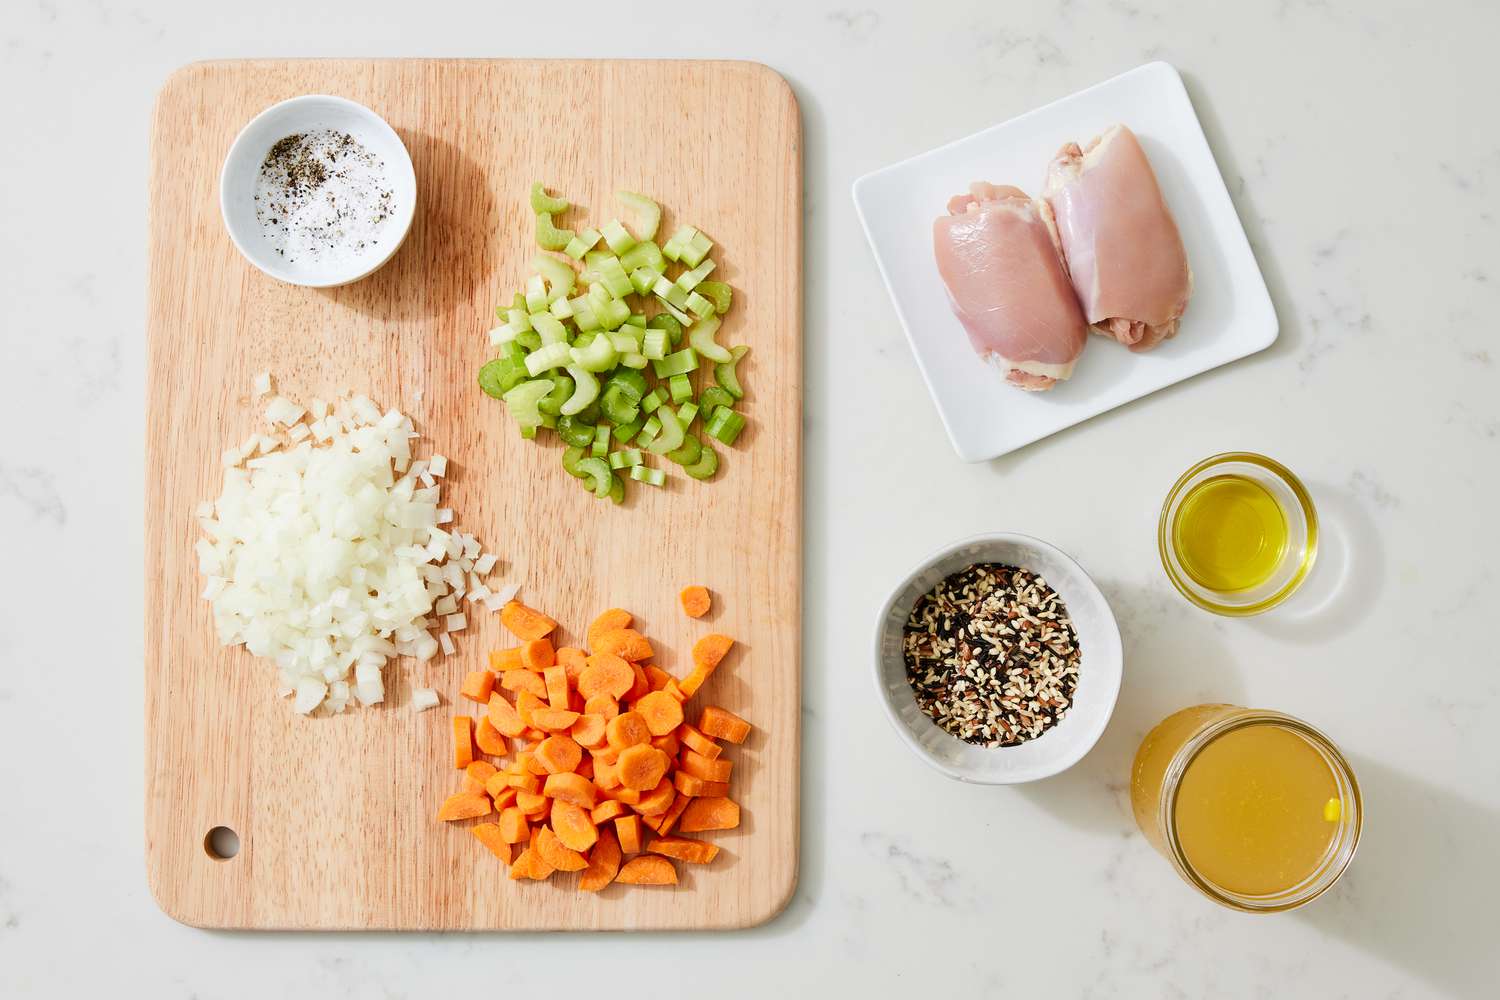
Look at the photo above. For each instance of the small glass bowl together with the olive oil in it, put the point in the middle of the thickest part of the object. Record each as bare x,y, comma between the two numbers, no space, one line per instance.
1238,534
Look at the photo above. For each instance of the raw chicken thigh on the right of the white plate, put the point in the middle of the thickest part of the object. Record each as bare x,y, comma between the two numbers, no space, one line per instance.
1124,251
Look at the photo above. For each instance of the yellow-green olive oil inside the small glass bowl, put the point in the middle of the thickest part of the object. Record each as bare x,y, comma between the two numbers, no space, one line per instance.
1231,534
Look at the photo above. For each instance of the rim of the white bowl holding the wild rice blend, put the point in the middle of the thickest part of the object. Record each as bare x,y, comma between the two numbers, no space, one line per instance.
1079,747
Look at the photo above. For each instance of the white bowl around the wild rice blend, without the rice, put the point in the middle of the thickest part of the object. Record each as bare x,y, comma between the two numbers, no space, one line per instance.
1100,666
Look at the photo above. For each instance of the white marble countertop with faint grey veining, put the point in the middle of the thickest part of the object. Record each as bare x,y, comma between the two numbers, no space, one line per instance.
1363,157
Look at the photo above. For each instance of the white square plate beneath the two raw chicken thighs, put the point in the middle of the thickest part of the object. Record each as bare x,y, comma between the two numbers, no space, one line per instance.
1229,317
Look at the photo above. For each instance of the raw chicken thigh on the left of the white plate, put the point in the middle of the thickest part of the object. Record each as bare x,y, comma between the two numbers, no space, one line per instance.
1000,260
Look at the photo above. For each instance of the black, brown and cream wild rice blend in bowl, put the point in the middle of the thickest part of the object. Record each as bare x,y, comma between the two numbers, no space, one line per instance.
992,656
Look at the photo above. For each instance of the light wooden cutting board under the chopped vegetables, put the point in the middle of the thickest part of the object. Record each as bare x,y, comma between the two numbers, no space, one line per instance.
335,816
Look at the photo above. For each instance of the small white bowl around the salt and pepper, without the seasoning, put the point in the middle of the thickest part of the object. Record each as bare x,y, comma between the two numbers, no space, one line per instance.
244,164
